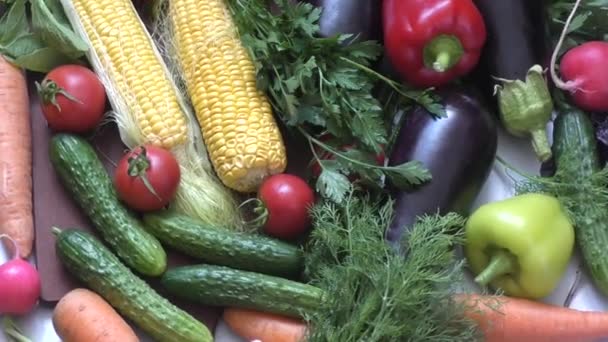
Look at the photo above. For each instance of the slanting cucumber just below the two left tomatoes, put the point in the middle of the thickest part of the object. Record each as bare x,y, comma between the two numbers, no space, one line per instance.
84,176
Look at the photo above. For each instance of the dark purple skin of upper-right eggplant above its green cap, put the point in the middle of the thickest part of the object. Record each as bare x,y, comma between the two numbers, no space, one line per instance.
517,39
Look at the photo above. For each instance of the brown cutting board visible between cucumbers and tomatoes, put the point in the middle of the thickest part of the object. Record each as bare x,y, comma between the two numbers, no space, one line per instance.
54,207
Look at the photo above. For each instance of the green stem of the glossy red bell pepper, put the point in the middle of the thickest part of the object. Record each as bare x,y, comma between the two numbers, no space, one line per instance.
443,52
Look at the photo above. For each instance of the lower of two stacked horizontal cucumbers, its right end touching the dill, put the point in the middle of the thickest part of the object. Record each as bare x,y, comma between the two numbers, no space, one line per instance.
224,286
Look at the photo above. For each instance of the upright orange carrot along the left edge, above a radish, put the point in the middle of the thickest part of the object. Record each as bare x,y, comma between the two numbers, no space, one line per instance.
16,216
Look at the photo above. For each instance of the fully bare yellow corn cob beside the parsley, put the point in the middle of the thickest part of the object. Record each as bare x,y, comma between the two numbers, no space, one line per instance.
237,124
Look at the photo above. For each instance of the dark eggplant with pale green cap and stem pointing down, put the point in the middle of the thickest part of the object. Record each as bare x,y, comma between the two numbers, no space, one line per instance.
512,67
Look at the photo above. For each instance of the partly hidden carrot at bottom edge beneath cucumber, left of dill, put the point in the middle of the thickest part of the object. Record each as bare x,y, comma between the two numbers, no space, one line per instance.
265,327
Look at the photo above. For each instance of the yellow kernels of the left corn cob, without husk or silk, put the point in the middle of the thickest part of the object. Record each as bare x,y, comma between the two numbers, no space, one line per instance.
119,39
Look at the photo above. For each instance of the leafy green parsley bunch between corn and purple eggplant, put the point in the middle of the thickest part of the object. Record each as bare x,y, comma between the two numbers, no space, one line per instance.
321,86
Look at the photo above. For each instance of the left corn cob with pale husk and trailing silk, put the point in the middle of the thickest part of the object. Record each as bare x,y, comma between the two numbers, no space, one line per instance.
148,106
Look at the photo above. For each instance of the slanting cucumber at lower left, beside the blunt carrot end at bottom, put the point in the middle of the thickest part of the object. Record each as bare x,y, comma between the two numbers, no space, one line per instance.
90,261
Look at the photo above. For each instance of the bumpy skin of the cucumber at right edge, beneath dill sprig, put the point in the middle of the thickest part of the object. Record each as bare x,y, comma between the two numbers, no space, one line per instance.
574,137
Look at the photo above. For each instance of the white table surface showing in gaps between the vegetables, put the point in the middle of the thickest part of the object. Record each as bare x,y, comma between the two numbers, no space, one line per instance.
38,326
